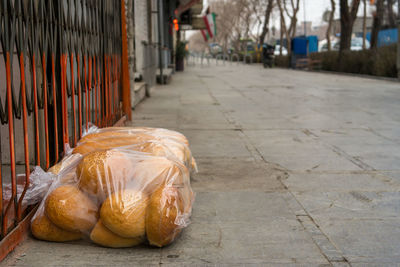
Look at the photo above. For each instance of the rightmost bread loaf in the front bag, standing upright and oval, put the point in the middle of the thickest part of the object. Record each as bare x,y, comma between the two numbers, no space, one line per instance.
165,206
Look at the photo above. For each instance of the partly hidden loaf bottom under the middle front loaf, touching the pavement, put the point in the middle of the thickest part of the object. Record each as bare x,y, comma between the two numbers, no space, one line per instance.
101,235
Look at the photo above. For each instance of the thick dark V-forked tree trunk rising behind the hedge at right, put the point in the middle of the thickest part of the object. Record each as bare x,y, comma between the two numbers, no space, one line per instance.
347,18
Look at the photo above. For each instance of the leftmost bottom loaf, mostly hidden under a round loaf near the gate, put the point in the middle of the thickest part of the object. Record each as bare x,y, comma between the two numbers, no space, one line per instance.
42,228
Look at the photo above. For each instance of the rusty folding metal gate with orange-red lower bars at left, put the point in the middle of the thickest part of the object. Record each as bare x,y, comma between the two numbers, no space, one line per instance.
60,70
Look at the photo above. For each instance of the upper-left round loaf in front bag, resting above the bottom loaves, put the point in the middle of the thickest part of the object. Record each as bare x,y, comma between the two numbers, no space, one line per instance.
103,172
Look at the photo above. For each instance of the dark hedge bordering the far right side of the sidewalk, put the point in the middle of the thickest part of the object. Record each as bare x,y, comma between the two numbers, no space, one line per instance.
379,63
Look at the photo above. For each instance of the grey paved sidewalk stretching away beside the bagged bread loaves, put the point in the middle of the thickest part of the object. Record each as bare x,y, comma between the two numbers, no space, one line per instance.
296,168
